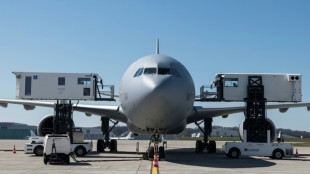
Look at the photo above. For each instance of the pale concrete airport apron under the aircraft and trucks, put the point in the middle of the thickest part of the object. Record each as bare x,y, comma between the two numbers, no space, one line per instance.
180,158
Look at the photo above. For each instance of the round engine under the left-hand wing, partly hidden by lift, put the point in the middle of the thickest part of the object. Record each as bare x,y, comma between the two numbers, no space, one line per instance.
46,125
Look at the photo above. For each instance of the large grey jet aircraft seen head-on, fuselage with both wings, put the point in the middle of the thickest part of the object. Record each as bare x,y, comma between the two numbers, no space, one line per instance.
157,95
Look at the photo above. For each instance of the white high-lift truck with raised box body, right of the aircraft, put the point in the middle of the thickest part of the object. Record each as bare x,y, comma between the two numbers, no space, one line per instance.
257,132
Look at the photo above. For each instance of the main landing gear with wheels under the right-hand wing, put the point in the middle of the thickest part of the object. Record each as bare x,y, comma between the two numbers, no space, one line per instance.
205,143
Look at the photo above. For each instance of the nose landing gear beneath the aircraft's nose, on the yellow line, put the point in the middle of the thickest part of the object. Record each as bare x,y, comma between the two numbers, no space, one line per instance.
159,150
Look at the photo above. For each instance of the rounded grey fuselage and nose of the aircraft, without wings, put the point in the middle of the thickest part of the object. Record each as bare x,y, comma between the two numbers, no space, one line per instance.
157,102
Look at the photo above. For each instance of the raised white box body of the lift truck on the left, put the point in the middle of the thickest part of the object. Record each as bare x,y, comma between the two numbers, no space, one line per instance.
55,86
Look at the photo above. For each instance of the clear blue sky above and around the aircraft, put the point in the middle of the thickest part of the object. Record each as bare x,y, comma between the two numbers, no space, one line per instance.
105,37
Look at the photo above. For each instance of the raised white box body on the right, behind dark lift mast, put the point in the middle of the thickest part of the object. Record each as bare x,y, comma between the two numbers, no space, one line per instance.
277,87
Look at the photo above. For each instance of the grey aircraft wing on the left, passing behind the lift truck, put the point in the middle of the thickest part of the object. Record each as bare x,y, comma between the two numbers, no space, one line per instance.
112,112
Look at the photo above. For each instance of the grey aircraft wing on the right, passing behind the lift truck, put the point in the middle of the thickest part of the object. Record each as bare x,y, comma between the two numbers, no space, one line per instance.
199,113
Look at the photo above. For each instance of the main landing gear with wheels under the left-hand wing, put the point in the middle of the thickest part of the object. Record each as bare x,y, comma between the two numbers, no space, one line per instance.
107,143
